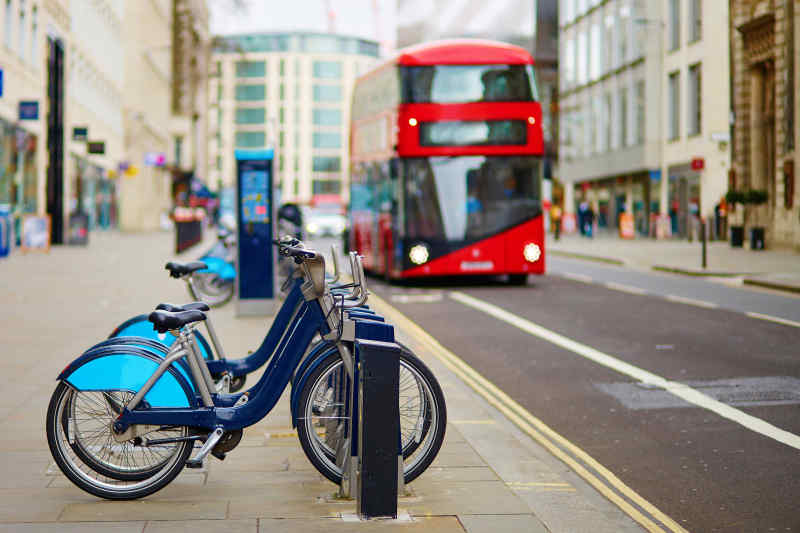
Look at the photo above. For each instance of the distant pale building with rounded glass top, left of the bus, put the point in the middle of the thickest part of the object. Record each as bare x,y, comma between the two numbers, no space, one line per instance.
291,92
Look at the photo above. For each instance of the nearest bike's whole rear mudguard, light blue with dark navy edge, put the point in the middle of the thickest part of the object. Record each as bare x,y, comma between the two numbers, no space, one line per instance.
128,368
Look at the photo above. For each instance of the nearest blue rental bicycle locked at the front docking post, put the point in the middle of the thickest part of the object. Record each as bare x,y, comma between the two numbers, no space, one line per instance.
125,417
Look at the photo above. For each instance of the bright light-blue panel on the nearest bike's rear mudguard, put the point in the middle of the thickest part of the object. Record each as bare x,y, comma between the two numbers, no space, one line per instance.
129,372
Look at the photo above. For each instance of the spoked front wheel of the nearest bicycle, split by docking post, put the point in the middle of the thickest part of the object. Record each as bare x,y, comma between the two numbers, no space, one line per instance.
423,416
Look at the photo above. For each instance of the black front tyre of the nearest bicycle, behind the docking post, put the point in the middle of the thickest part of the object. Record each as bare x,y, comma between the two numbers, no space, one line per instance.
433,434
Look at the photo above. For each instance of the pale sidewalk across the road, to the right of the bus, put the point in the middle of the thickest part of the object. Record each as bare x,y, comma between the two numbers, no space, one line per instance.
778,269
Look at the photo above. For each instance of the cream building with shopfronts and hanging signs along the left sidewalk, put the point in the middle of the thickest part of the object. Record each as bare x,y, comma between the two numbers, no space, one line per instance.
85,111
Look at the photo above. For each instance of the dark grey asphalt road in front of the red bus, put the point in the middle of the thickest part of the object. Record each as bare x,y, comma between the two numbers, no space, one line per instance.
707,472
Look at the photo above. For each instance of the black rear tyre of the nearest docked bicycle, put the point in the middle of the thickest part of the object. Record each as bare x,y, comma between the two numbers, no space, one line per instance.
82,477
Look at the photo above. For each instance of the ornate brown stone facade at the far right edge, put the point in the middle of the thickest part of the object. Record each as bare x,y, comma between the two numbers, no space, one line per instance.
765,45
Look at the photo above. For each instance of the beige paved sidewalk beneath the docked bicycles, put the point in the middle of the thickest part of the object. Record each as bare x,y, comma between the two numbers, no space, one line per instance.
488,477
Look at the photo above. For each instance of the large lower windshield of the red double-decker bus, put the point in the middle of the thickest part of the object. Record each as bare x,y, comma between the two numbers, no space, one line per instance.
469,197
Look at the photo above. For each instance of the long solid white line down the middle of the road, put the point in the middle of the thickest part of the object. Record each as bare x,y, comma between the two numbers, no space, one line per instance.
678,389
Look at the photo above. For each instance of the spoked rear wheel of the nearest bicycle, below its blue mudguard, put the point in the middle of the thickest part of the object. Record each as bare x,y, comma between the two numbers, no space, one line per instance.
92,475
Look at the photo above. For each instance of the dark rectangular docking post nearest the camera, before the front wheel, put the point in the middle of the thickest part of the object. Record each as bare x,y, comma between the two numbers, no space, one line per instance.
380,459
